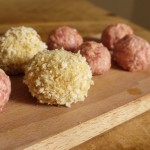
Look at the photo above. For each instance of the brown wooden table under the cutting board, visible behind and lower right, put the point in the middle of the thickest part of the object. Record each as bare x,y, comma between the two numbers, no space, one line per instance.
88,19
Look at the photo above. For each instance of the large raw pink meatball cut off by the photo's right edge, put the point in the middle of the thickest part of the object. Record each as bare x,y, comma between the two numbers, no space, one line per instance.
132,53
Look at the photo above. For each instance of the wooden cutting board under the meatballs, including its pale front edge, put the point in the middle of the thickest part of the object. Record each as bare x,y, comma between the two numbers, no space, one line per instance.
116,97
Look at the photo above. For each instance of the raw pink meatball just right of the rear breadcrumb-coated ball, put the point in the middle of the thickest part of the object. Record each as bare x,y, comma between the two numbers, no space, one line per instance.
65,37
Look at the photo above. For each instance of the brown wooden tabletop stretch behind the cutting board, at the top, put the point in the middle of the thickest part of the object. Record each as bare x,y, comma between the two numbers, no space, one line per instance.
29,11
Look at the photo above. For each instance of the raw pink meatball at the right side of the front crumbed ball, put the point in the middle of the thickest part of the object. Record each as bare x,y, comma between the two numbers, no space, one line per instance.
97,56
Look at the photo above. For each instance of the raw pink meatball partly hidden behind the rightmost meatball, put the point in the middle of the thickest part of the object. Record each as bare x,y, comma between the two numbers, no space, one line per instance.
113,33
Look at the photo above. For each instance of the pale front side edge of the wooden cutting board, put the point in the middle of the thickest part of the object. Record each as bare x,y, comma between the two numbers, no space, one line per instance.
89,129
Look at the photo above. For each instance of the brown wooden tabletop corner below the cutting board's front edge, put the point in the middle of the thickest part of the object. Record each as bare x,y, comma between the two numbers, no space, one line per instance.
131,135
